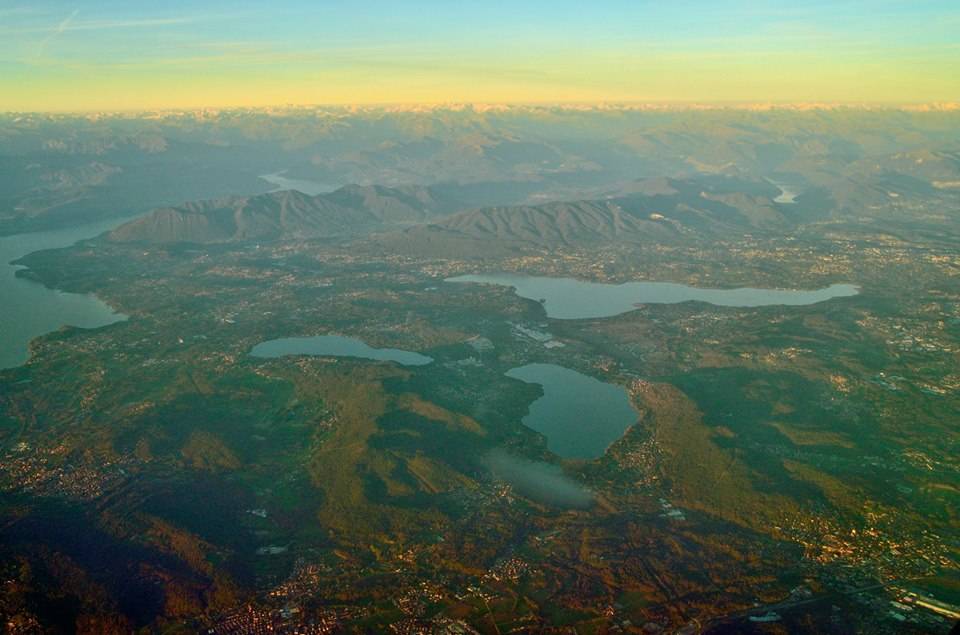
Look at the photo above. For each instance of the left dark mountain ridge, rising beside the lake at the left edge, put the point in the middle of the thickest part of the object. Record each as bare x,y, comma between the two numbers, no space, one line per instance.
349,211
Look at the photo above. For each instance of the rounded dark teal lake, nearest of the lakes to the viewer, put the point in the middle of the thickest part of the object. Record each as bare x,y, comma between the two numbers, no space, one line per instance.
580,416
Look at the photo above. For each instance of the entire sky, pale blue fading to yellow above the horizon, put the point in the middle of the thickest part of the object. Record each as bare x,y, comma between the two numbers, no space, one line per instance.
132,54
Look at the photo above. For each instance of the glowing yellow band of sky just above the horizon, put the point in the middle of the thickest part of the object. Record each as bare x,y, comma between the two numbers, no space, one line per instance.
695,81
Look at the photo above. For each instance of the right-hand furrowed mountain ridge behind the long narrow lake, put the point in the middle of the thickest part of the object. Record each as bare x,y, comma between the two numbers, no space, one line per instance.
652,210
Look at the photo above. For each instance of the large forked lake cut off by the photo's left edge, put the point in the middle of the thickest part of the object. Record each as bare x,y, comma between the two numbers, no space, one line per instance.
28,309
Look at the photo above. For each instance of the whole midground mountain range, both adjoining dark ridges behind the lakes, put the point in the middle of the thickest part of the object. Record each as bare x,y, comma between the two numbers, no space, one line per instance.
427,220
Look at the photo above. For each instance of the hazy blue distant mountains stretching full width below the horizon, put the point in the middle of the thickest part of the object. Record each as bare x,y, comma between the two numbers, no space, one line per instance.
64,171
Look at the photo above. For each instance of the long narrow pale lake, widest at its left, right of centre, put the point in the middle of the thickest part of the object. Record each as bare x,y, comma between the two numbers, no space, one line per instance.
569,299
